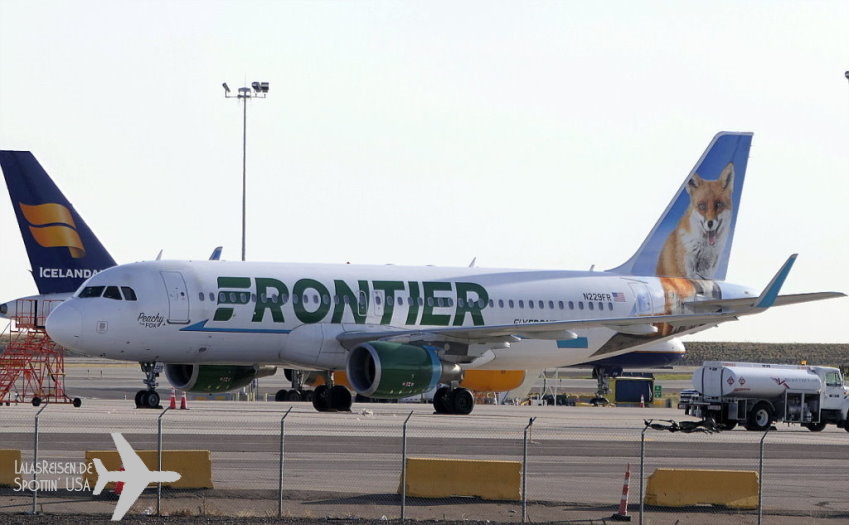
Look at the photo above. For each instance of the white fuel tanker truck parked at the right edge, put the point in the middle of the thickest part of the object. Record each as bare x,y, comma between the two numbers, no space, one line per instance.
757,395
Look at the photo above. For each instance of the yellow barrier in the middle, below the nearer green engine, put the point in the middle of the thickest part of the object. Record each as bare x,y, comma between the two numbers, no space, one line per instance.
442,478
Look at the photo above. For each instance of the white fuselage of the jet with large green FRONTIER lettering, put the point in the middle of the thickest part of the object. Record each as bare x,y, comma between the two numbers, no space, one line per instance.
218,312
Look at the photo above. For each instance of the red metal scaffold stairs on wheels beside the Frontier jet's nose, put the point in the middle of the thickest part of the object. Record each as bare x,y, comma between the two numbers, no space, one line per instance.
32,367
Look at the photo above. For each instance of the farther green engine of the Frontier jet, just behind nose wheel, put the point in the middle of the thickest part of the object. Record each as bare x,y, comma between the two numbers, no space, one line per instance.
214,378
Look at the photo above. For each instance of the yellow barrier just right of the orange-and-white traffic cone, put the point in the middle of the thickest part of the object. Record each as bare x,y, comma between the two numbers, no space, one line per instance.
737,489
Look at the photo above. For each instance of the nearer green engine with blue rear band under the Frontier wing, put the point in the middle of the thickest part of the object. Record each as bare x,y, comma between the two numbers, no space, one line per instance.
387,370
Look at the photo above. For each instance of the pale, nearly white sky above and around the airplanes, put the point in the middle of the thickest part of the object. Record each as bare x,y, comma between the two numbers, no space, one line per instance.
526,134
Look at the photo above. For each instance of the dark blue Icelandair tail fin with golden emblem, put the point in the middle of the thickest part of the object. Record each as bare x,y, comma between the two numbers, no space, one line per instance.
62,249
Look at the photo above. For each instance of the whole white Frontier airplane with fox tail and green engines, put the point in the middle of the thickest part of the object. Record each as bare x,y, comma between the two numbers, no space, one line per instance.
398,331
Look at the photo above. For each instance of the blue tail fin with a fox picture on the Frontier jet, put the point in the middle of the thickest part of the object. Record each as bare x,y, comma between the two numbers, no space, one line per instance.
693,236
